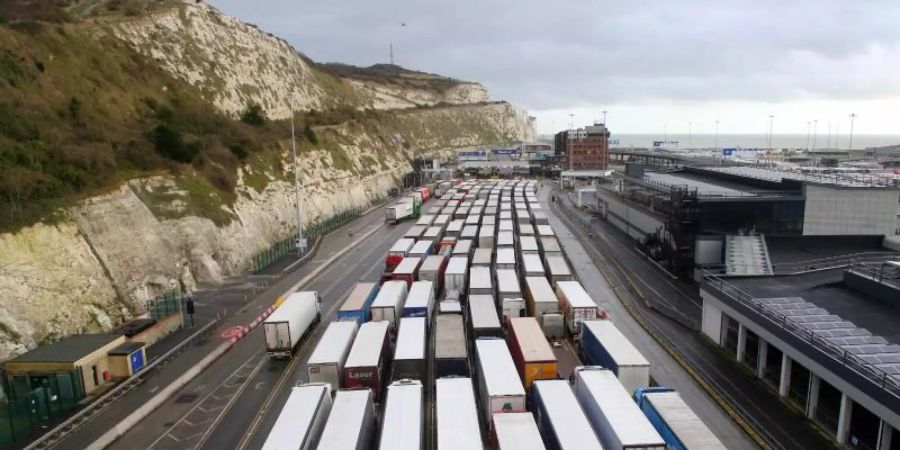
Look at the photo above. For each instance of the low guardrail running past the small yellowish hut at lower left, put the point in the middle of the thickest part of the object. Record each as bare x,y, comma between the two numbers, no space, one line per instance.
71,424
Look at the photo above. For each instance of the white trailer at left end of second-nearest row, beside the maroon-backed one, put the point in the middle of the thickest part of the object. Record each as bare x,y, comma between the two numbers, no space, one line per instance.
326,364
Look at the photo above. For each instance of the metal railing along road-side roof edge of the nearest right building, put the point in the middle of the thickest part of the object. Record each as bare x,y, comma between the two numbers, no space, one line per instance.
869,371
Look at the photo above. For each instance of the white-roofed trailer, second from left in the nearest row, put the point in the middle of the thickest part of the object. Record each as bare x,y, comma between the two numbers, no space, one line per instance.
351,424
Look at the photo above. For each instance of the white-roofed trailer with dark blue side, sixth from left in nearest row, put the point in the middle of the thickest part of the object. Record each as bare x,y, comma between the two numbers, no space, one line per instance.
561,420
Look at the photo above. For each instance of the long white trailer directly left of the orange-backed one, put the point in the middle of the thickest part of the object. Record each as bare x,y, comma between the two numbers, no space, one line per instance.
500,387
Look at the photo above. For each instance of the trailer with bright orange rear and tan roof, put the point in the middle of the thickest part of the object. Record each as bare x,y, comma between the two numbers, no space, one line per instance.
530,350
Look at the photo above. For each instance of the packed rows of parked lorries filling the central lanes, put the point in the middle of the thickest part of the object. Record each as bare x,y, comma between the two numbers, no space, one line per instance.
456,339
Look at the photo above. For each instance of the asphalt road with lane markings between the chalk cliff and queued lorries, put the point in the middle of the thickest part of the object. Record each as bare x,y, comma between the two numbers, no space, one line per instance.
221,407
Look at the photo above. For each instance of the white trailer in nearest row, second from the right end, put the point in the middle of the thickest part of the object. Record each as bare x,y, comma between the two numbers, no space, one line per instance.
614,415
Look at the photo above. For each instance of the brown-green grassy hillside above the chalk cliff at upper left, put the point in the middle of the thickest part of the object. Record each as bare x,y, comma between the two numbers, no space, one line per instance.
80,112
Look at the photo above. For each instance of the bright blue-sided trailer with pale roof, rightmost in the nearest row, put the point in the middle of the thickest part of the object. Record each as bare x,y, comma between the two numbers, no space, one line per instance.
674,420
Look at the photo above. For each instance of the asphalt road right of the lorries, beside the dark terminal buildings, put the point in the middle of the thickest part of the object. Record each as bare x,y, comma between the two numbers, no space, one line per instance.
786,427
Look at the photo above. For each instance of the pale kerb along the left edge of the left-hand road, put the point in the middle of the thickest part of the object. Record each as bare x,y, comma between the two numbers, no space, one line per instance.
157,400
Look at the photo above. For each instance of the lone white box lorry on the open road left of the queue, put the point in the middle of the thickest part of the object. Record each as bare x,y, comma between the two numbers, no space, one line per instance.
290,322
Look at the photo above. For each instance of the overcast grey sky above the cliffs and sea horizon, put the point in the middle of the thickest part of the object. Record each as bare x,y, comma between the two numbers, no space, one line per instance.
652,64
